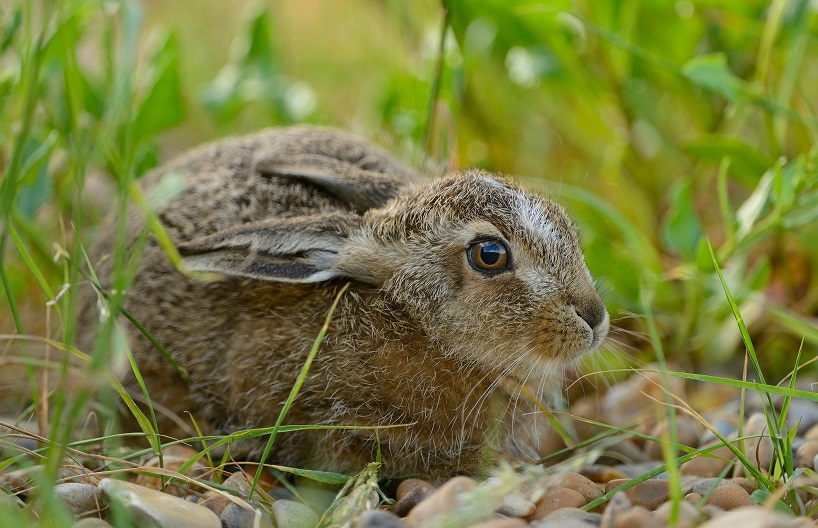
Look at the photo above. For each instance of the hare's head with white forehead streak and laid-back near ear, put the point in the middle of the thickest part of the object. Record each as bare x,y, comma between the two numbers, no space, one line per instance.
488,272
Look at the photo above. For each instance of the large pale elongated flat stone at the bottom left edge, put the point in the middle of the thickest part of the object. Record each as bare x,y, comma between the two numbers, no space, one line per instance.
147,507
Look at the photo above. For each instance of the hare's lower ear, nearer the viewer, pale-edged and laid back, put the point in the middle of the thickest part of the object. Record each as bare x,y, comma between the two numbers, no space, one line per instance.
300,249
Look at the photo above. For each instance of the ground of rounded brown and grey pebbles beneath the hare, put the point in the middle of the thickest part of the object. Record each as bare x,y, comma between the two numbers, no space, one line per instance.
715,491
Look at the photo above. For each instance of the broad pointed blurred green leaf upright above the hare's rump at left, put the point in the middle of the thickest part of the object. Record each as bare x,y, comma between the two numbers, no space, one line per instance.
163,106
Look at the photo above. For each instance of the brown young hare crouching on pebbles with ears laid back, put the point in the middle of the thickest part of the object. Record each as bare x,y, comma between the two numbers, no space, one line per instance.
463,290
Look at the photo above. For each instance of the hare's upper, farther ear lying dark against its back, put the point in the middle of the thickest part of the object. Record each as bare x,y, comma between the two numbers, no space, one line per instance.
361,188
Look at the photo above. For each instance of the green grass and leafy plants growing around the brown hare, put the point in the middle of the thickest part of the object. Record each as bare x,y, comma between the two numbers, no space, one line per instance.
689,163
